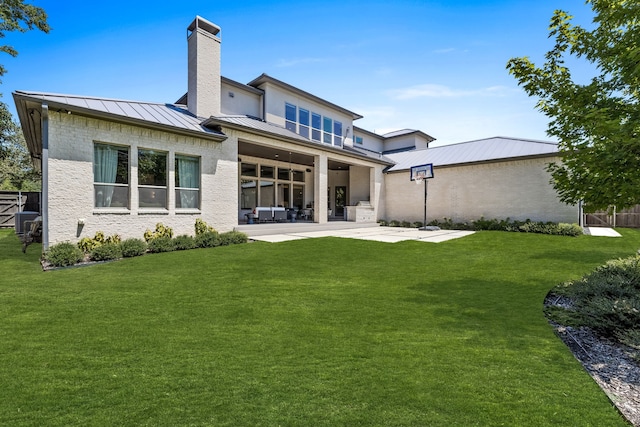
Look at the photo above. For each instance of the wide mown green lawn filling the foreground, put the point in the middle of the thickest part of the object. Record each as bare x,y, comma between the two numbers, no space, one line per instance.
318,332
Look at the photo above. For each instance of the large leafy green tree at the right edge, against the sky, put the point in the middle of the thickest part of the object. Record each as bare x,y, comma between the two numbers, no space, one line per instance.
597,123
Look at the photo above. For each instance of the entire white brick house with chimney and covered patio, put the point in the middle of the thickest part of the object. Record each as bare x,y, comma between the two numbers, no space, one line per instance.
226,148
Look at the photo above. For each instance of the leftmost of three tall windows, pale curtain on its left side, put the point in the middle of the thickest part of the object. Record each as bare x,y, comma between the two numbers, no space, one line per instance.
110,176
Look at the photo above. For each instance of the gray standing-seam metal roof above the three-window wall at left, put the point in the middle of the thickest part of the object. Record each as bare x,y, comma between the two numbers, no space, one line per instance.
176,117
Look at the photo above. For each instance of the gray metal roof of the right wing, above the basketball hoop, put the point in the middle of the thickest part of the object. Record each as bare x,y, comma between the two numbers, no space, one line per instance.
482,150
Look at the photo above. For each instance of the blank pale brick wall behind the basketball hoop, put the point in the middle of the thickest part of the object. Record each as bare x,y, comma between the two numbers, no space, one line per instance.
518,190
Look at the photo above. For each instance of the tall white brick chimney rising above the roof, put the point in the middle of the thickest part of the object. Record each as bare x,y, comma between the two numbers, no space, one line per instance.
203,96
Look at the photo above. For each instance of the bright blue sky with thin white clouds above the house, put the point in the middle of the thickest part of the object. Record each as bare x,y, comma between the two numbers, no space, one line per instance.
433,65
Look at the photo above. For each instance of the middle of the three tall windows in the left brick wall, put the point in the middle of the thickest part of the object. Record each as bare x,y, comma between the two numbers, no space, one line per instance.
152,179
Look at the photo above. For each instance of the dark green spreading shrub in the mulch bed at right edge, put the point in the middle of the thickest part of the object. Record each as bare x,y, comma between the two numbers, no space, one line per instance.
606,300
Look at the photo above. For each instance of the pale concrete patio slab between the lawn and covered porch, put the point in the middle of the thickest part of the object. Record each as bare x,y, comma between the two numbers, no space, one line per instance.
287,232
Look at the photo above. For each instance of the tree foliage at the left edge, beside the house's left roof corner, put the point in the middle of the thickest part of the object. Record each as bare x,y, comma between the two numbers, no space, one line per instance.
16,171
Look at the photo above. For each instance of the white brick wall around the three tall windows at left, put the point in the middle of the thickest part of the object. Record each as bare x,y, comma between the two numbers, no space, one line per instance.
71,142
